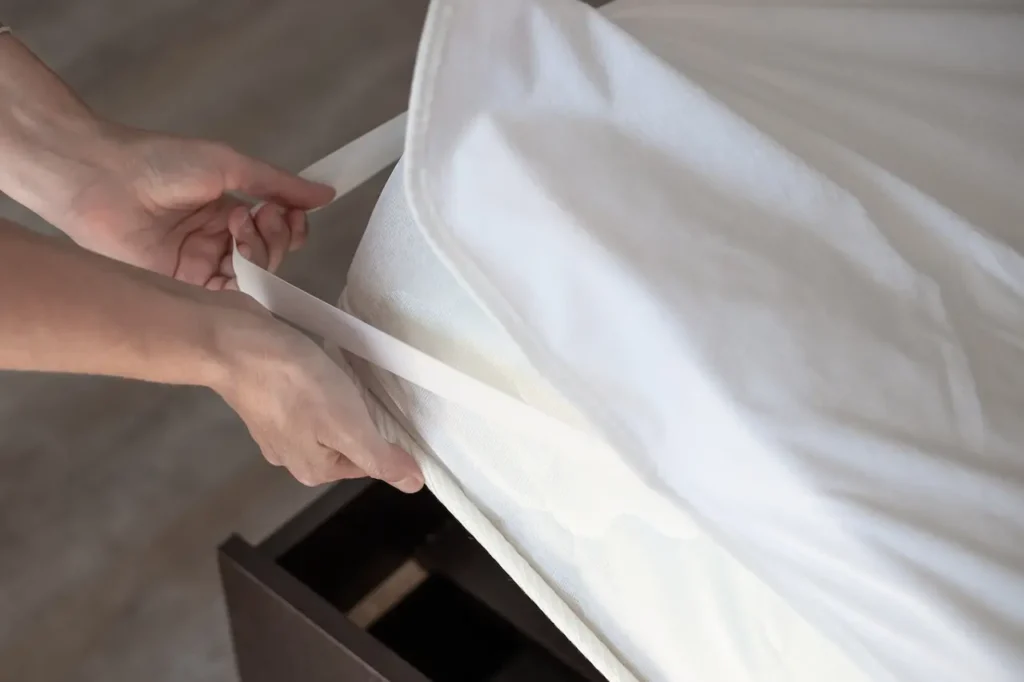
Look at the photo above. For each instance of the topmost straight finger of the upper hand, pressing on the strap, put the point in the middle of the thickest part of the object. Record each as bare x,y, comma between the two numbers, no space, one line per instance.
263,181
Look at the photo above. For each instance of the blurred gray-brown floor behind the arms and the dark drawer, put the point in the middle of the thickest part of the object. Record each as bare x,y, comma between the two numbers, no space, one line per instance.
113,496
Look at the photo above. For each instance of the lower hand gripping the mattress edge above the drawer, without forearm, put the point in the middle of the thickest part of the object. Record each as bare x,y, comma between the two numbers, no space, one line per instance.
303,410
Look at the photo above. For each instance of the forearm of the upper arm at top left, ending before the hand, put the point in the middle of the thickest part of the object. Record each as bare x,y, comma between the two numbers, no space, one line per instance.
52,146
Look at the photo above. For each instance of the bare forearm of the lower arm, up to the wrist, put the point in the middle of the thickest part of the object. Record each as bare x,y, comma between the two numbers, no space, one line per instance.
64,310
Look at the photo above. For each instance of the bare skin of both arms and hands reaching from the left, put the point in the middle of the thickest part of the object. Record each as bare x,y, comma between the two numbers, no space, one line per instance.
160,203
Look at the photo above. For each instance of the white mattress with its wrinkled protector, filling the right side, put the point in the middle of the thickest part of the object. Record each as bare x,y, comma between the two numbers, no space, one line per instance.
772,255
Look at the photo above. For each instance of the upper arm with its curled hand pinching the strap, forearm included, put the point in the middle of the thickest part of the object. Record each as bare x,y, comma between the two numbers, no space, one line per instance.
155,201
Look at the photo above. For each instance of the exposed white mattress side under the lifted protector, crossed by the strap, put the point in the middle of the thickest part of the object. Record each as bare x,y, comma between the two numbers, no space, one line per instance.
639,572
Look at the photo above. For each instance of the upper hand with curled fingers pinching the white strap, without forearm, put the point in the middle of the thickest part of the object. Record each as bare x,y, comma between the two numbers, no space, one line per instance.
161,203
